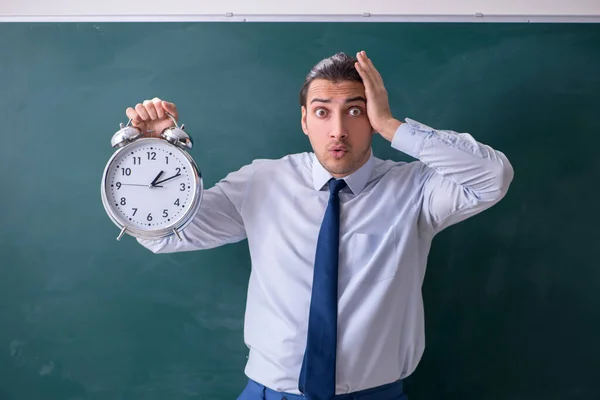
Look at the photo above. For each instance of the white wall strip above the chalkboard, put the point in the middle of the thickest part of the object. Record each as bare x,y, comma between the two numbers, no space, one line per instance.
301,10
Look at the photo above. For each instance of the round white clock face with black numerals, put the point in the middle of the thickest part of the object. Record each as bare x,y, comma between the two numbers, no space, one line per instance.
150,185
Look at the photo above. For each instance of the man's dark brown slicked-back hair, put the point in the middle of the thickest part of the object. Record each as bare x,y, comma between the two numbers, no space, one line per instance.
337,68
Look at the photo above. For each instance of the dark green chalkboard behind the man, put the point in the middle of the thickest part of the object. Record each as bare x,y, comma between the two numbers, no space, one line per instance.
512,295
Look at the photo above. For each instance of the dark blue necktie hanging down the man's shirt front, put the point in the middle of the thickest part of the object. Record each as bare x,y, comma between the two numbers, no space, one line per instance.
317,375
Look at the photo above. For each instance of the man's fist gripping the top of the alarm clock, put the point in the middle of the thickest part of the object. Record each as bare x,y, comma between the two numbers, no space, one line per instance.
151,116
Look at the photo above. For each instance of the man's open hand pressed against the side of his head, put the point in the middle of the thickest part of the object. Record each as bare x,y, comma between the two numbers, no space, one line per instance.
378,106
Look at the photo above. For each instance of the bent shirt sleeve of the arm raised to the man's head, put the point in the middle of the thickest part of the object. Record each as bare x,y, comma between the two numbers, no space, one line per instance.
461,177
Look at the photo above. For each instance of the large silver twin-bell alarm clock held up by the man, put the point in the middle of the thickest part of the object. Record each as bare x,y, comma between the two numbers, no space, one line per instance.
151,186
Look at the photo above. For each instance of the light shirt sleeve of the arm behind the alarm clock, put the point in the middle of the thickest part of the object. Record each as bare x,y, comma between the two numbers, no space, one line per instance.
218,220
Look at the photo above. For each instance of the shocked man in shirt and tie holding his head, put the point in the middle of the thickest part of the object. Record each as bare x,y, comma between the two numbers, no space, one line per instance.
338,238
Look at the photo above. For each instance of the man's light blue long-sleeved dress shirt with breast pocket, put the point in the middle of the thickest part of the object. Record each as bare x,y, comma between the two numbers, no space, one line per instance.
390,212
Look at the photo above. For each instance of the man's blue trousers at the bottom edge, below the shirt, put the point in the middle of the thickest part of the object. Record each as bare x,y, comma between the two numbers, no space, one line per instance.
391,391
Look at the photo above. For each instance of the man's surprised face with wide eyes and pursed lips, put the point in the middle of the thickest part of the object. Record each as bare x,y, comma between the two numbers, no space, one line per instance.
335,120
